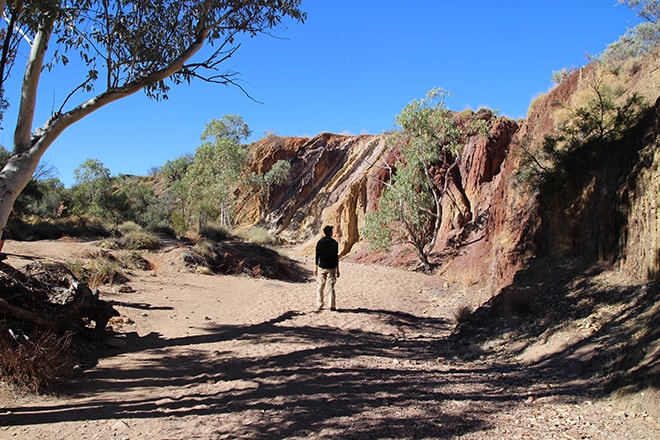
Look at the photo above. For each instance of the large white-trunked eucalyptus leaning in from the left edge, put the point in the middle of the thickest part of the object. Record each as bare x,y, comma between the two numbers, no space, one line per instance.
127,46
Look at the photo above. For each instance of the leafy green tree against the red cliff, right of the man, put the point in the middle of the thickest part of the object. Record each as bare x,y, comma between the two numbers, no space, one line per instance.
409,210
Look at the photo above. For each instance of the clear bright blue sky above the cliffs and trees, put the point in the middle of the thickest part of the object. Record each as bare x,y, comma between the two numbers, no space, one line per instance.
350,68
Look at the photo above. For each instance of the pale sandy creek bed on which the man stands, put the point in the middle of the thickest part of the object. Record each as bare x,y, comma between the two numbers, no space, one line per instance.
219,357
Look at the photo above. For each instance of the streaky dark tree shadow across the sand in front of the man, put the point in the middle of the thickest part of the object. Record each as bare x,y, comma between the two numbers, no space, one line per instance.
348,383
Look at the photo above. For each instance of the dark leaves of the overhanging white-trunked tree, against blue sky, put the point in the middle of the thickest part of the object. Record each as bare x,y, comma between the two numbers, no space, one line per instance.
121,42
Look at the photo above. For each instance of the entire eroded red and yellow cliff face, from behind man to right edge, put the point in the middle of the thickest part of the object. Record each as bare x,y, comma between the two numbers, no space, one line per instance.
491,224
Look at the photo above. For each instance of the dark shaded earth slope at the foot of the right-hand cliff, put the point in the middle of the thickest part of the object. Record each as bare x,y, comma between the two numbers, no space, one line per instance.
610,327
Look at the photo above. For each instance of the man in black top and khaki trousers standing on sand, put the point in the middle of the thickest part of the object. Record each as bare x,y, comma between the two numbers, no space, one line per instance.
327,259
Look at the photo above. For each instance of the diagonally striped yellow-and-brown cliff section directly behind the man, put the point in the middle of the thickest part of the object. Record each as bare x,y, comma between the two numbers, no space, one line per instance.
331,182
